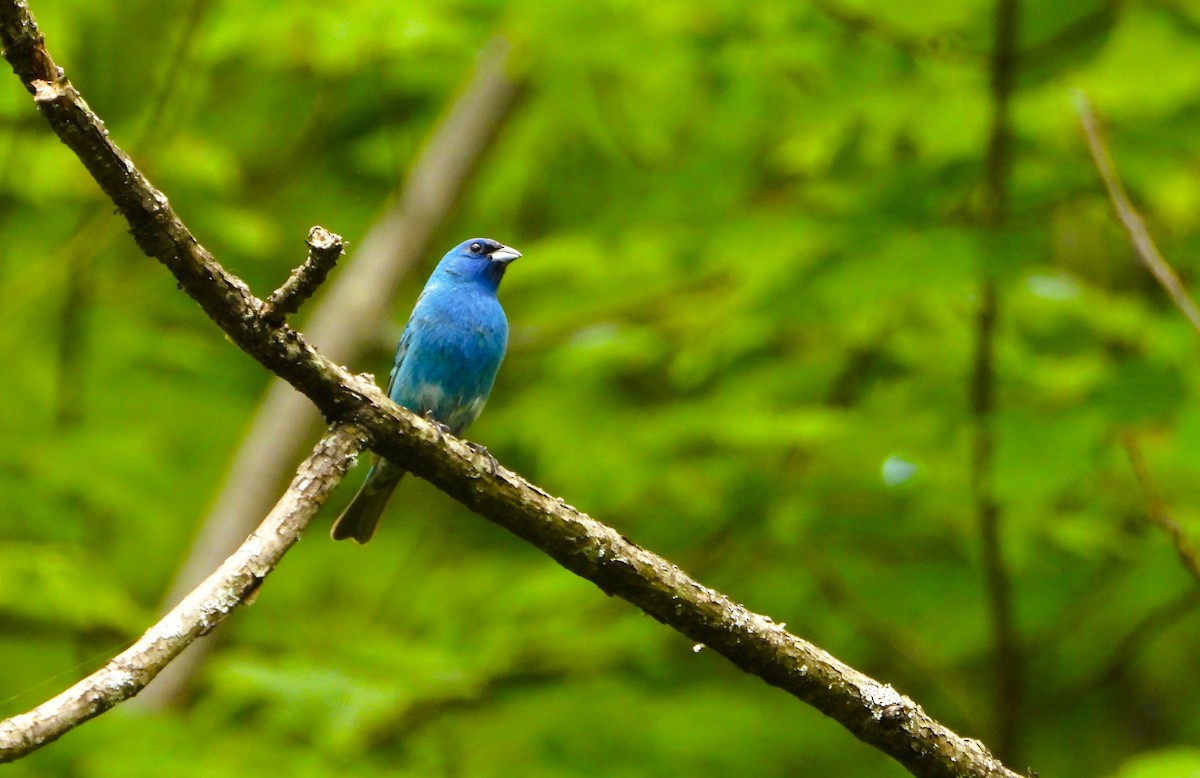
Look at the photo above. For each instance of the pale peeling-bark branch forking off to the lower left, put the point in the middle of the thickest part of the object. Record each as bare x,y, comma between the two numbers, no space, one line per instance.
211,603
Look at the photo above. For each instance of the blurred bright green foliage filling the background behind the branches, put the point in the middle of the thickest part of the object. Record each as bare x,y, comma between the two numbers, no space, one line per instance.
743,336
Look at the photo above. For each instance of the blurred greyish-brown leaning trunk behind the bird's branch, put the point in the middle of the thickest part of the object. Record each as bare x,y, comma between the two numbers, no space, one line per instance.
347,320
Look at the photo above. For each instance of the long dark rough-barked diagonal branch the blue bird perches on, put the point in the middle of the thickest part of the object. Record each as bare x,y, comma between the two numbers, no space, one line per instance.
872,711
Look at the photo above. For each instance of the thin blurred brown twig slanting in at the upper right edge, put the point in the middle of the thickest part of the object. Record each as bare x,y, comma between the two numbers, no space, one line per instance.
1130,217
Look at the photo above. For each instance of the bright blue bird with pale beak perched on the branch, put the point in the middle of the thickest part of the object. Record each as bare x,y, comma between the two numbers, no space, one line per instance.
446,366
